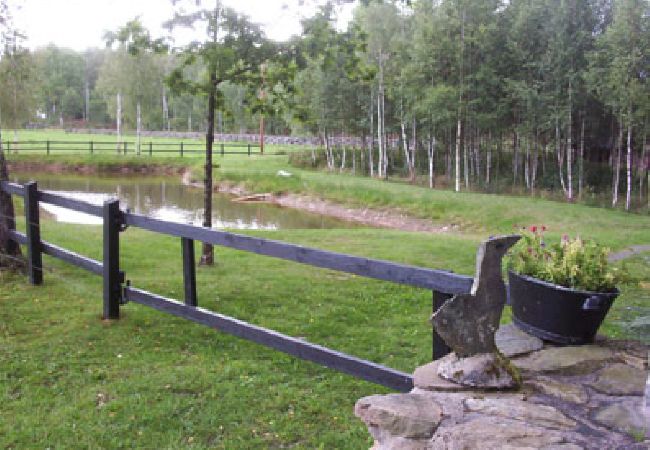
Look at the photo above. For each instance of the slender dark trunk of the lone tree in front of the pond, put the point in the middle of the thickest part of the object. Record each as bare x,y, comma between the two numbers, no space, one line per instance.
207,254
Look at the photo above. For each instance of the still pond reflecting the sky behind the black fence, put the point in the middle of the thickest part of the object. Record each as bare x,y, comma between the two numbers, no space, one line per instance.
168,199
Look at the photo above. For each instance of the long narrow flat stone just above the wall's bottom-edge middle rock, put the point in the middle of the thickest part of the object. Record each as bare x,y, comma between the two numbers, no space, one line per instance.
532,413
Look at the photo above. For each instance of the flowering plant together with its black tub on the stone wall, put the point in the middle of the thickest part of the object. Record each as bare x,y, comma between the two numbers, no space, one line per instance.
560,292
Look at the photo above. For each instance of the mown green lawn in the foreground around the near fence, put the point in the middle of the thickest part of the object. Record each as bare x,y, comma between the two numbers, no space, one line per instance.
150,380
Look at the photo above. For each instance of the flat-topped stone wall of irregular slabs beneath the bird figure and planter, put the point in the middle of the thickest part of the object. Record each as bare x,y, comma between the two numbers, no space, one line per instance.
582,397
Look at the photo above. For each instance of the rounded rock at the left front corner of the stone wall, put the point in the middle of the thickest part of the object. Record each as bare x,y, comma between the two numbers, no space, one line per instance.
406,415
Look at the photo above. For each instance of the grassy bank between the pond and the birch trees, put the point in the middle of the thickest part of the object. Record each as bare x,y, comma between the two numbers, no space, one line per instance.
472,213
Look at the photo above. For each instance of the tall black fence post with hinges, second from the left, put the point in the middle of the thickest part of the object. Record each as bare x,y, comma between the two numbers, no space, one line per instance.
112,279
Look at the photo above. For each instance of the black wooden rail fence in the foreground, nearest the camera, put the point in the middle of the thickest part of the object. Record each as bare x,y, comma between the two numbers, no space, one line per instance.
117,291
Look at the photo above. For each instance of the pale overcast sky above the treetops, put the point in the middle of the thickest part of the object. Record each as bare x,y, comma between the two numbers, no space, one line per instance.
79,24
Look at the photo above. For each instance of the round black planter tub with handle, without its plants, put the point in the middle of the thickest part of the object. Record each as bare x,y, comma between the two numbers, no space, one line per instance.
556,313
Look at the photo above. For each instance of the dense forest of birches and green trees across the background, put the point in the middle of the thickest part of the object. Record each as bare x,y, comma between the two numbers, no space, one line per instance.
535,94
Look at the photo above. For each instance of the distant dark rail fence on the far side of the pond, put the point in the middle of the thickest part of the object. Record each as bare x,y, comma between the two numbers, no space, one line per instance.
124,148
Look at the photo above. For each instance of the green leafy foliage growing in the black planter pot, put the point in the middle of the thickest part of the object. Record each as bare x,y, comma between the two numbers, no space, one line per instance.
573,263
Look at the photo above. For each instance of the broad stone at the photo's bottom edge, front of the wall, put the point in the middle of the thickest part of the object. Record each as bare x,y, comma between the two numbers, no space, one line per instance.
490,433
